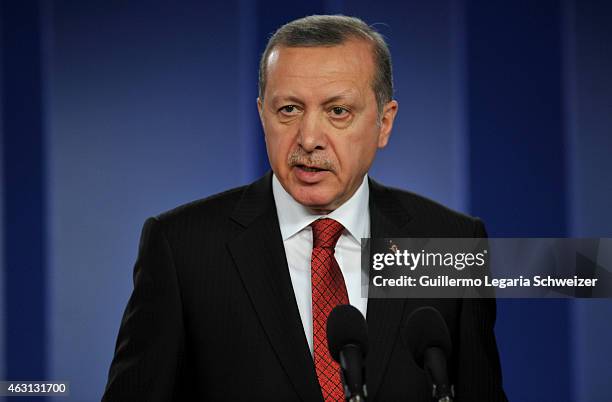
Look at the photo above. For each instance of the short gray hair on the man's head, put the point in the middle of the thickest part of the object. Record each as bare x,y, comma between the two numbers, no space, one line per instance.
333,30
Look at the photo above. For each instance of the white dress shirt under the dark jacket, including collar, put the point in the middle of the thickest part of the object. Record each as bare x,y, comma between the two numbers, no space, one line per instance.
295,220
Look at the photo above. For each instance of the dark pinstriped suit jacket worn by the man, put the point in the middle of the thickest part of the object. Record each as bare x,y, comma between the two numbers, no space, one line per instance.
213,315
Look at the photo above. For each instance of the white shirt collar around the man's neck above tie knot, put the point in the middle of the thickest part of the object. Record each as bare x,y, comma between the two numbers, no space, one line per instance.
354,214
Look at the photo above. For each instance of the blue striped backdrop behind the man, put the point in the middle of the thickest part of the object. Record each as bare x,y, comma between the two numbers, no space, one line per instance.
113,111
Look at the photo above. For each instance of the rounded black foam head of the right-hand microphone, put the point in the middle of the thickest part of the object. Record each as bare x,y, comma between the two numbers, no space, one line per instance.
426,328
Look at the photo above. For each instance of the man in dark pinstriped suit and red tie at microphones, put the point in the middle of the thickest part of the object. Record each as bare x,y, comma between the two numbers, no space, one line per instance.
231,293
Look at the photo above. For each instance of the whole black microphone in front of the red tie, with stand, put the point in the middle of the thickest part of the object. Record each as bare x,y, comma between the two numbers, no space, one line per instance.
347,340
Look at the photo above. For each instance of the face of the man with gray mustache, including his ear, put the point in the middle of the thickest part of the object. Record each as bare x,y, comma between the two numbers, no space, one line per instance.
321,121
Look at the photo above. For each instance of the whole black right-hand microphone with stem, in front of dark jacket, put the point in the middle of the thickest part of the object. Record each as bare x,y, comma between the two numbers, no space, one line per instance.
429,341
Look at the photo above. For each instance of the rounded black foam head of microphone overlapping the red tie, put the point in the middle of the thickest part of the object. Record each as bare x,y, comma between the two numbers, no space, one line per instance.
346,326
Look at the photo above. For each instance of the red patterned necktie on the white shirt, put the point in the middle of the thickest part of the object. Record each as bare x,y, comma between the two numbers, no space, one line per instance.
328,290
